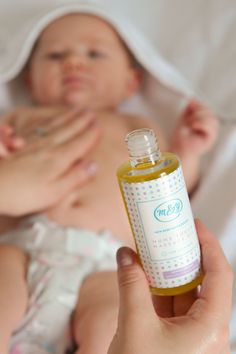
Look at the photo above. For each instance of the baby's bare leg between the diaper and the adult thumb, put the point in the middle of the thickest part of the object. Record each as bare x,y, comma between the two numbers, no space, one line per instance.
96,313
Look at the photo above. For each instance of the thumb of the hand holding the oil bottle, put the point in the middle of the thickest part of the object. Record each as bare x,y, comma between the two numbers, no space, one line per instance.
135,298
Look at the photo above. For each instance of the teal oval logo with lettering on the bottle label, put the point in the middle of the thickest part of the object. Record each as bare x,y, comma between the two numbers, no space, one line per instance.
169,210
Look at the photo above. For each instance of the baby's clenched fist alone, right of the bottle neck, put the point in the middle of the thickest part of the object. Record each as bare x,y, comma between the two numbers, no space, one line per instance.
196,131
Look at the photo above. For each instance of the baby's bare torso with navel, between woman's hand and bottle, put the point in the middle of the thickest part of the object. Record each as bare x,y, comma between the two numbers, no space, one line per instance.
98,203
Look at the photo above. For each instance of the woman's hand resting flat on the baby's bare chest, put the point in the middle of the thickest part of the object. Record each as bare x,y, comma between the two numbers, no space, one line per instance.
51,166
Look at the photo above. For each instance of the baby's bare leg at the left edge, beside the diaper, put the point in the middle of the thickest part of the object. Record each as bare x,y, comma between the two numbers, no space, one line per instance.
13,292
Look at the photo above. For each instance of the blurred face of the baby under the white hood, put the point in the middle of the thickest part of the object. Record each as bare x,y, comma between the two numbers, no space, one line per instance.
80,61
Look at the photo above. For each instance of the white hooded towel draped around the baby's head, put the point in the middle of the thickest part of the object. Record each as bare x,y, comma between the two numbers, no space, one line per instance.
163,91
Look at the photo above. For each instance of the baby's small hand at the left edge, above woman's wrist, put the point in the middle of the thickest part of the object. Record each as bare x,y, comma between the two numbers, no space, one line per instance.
9,142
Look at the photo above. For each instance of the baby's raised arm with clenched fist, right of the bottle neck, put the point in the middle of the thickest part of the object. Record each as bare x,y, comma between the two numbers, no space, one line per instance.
195,134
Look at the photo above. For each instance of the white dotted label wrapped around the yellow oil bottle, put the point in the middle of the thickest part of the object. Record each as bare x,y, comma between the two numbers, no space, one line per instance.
164,229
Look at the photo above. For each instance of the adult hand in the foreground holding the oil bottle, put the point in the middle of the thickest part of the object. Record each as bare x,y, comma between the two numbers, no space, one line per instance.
204,329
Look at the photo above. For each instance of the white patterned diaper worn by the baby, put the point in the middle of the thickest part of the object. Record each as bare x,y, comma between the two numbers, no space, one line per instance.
60,259
